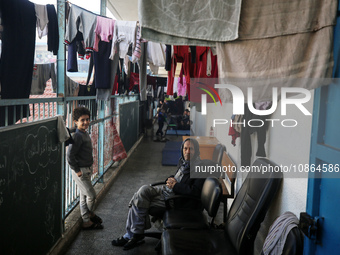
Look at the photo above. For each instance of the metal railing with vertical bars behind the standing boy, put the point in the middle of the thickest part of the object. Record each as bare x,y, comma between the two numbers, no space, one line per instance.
104,115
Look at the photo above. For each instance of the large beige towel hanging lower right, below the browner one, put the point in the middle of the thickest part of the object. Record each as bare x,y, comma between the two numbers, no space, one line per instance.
276,62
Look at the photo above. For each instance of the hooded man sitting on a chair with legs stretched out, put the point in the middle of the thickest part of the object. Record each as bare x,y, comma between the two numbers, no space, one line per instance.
154,196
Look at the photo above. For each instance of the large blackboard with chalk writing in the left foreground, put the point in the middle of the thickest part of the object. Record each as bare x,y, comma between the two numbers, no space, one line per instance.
30,188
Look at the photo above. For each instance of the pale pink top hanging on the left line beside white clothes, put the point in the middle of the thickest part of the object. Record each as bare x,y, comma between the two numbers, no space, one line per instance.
104,30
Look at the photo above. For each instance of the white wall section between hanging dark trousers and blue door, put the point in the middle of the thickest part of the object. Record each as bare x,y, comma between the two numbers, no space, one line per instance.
288,146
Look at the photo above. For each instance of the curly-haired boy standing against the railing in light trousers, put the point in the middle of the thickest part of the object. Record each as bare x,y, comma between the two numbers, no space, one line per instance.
80,159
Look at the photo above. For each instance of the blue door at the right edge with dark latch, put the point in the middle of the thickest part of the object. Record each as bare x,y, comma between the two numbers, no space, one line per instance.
324,192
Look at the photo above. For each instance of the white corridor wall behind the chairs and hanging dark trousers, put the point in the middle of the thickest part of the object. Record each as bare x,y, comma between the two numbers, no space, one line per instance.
284,146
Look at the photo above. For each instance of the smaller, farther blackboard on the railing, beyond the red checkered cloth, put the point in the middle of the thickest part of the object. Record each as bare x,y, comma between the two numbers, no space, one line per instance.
128,122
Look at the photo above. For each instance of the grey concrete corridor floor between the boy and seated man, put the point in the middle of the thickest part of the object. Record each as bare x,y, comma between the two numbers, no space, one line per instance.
143,167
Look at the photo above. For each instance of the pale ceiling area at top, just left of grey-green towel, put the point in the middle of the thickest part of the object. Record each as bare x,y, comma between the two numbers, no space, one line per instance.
123,9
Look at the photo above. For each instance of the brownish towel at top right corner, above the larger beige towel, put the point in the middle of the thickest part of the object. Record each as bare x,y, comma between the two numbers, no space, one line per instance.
269,18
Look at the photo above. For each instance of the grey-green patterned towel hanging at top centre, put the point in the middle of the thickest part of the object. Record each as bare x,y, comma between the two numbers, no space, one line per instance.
189,22
